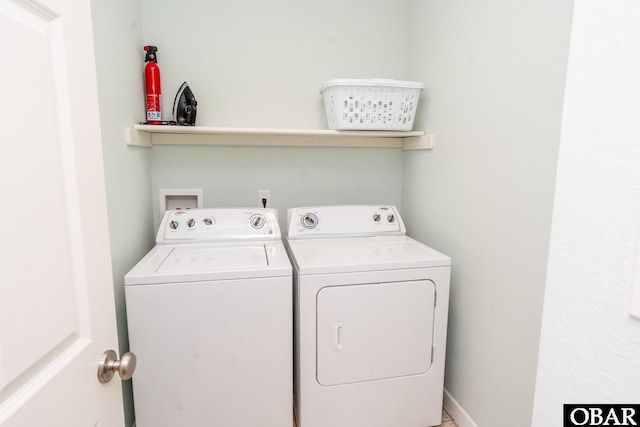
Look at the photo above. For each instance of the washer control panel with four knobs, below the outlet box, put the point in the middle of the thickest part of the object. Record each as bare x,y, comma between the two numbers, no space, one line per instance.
218,225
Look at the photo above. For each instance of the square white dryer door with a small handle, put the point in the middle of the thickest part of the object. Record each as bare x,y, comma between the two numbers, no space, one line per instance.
374,331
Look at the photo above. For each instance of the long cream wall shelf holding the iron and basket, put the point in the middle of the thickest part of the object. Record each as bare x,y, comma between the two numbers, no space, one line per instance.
149,135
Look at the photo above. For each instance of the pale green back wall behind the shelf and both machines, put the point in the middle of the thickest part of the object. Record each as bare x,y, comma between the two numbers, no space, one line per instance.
261,64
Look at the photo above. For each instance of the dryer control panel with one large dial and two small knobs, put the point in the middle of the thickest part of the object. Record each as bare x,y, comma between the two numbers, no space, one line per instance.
344,221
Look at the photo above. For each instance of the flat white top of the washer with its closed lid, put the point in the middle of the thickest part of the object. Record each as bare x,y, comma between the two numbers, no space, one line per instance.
210,261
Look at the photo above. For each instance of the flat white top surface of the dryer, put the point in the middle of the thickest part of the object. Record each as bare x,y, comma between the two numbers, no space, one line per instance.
354,254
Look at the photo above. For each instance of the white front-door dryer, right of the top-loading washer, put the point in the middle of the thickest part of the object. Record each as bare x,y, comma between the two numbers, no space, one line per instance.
370,319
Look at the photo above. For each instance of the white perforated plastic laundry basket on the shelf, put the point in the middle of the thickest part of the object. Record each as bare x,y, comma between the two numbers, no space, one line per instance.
371,104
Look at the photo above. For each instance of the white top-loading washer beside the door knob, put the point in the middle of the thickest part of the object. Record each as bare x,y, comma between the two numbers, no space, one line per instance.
210,319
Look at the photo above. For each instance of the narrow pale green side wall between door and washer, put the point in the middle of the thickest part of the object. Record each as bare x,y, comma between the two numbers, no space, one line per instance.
117,38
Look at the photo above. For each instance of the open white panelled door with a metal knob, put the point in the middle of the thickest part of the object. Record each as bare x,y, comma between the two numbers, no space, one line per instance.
57,312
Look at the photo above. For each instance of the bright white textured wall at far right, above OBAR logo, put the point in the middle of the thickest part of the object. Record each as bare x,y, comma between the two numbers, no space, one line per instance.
590,346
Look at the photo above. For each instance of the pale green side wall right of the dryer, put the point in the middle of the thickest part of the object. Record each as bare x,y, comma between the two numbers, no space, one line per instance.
494,72
